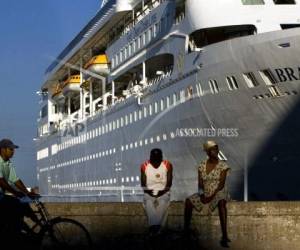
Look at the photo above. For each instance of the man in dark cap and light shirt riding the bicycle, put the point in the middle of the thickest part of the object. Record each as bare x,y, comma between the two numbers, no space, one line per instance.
11,188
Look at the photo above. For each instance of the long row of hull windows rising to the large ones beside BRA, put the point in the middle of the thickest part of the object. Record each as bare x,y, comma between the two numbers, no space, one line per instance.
166,102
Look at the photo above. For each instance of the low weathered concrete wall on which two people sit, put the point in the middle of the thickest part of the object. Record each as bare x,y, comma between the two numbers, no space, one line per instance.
251,225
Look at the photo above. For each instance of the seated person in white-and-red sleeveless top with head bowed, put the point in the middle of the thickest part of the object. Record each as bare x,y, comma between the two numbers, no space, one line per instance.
156,180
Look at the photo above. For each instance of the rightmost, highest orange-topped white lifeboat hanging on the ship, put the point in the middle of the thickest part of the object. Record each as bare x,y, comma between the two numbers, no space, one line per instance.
98,65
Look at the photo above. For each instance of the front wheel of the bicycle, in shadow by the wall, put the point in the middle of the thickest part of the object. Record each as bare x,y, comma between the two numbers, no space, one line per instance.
64,233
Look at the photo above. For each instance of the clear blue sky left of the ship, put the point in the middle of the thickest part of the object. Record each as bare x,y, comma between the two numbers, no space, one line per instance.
32,33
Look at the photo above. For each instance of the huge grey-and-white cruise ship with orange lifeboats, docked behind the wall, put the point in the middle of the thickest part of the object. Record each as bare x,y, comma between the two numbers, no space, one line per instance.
172,74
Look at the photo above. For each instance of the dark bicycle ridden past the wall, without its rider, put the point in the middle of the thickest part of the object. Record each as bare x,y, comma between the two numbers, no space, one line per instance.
55,233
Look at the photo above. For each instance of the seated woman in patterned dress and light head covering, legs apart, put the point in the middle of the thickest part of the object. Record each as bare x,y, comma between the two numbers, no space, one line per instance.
212,189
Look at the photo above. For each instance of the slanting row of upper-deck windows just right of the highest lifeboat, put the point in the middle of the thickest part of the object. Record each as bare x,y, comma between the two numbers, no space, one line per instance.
139,42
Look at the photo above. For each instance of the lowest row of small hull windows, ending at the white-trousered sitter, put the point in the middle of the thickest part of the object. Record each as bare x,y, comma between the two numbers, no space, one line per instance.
98,182
